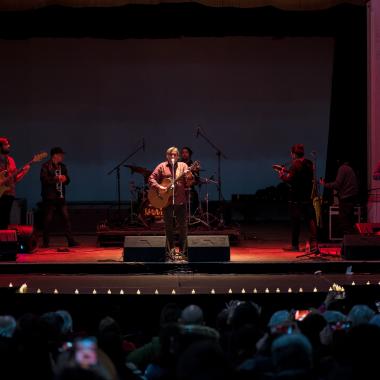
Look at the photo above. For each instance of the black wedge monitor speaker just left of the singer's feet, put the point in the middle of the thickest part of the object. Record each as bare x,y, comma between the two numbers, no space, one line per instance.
144,248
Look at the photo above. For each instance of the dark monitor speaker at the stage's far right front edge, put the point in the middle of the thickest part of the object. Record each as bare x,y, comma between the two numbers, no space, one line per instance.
358,247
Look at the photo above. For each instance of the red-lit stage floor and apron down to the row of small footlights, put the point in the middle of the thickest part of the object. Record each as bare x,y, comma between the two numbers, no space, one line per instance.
258,265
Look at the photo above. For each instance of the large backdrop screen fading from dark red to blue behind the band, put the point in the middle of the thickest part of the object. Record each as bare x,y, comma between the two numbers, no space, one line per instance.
254,97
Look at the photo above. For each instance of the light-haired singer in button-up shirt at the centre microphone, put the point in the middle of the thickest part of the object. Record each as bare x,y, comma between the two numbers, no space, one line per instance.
178,211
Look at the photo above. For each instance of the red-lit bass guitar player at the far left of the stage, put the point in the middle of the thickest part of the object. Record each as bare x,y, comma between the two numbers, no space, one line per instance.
13,176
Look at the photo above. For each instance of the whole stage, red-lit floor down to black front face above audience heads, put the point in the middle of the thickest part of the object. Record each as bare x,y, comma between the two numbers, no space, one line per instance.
92,281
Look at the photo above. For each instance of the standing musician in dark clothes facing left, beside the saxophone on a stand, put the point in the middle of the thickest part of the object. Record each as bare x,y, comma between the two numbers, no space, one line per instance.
300,178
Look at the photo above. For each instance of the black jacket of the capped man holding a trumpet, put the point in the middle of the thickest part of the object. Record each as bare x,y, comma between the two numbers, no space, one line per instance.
49,182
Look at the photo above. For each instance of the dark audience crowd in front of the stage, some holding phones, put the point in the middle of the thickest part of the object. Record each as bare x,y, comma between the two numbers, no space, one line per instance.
325,345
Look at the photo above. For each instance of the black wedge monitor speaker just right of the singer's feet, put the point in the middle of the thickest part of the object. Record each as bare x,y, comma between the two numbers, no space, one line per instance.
205,248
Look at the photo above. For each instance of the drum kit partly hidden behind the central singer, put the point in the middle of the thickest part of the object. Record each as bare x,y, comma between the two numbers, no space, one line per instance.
147,215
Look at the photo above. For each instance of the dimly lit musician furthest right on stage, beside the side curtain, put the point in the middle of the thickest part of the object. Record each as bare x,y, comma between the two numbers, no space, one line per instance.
346,185
